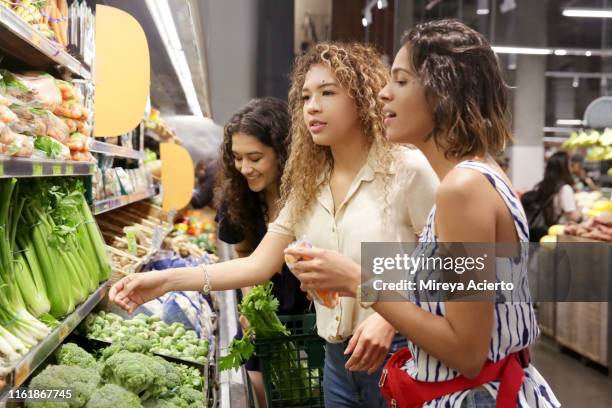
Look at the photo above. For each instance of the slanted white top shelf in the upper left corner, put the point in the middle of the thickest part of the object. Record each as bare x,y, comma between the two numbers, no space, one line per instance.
22,41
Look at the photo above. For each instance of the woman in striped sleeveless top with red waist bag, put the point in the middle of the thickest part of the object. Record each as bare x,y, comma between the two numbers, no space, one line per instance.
447,97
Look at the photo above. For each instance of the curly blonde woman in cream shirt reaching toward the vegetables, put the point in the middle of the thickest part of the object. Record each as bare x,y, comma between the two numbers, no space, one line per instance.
342,173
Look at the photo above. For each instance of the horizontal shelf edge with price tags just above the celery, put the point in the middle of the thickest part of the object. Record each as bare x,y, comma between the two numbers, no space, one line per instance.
18,167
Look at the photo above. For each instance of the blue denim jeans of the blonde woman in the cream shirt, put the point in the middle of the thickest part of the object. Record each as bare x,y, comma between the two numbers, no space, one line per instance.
343,388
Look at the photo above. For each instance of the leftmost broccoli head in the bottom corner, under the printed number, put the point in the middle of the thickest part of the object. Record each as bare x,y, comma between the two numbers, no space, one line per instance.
83,381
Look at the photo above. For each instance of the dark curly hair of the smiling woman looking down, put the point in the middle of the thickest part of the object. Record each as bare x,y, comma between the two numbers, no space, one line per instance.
267,119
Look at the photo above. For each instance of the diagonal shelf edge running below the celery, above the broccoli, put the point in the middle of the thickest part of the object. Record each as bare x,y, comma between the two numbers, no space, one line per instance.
39,353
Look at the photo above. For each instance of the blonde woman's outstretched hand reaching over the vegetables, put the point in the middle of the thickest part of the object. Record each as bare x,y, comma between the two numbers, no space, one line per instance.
138,288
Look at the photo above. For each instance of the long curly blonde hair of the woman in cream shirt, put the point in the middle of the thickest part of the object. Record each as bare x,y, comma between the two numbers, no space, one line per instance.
359,69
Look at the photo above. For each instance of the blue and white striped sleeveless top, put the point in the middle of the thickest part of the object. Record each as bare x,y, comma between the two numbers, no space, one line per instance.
514,326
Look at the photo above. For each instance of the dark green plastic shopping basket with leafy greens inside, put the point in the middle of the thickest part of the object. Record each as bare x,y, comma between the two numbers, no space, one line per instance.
292,366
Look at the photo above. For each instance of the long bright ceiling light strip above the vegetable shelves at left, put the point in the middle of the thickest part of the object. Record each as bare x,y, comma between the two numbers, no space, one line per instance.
162,16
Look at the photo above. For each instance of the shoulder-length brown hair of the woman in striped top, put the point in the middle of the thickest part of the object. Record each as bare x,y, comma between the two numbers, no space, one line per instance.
463,85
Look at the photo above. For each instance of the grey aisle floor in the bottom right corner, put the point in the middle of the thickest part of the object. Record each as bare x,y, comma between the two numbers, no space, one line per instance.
574,383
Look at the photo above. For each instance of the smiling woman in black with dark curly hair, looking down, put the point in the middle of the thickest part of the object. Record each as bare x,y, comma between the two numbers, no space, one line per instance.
252,160
